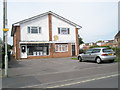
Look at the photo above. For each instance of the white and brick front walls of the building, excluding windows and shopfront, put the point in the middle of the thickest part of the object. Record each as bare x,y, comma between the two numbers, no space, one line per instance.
49,25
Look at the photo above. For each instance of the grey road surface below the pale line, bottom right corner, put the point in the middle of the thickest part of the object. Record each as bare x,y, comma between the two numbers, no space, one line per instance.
111,82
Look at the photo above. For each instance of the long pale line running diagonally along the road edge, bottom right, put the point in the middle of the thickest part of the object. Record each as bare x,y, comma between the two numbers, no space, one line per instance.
84,81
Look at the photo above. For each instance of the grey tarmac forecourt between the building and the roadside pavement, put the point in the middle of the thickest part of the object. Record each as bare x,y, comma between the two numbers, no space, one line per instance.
33,67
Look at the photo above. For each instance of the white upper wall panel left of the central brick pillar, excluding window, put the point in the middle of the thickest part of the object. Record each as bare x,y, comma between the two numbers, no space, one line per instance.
41,22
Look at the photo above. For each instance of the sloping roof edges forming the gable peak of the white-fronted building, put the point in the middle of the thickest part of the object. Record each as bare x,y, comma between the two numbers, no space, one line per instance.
44,14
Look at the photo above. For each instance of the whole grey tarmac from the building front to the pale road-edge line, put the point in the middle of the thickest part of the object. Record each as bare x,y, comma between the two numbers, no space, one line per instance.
42,73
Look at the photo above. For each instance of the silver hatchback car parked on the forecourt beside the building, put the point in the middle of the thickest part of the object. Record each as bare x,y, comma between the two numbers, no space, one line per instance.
98,55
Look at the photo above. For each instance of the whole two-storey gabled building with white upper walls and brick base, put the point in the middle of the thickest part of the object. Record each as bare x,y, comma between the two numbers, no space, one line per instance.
45,35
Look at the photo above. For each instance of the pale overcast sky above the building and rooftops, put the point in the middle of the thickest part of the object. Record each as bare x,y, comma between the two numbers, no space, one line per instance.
98,18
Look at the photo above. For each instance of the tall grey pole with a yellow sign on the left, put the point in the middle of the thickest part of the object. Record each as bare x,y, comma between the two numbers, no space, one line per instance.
5,29
